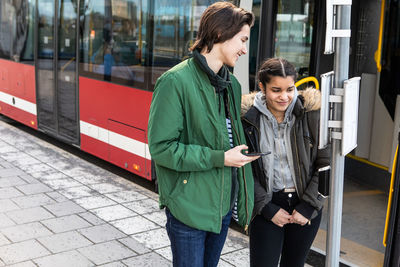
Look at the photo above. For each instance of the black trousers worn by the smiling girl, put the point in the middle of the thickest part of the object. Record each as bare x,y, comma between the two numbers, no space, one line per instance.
291,242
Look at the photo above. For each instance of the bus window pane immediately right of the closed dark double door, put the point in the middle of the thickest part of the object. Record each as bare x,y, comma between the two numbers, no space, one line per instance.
111,45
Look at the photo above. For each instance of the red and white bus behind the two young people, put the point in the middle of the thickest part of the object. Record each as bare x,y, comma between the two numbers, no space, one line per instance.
83,71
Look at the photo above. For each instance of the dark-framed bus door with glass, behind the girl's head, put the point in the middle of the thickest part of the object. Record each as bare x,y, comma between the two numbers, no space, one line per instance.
291,30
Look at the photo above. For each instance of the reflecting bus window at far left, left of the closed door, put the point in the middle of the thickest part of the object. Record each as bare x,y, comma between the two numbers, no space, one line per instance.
20,46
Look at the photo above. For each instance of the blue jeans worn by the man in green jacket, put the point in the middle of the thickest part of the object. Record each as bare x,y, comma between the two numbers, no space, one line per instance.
192,247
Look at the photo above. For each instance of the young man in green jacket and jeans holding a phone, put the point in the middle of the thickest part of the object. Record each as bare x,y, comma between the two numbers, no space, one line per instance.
197,142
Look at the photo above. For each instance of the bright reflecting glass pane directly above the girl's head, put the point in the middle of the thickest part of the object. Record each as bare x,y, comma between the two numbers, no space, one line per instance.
293,34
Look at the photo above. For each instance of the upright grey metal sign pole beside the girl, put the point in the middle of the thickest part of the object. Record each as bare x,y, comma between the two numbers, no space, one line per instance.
341,69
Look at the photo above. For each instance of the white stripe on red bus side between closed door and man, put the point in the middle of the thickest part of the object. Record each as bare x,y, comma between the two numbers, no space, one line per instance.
115,139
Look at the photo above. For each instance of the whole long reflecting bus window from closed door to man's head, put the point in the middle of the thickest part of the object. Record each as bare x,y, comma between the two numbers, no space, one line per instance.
132,42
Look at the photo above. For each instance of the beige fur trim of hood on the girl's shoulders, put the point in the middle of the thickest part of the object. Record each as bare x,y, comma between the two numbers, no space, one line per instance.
311,96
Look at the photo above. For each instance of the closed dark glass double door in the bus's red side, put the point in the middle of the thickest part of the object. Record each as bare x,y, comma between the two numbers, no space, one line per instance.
56,75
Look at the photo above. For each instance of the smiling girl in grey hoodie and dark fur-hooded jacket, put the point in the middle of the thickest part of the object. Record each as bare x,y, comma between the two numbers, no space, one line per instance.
287,204
